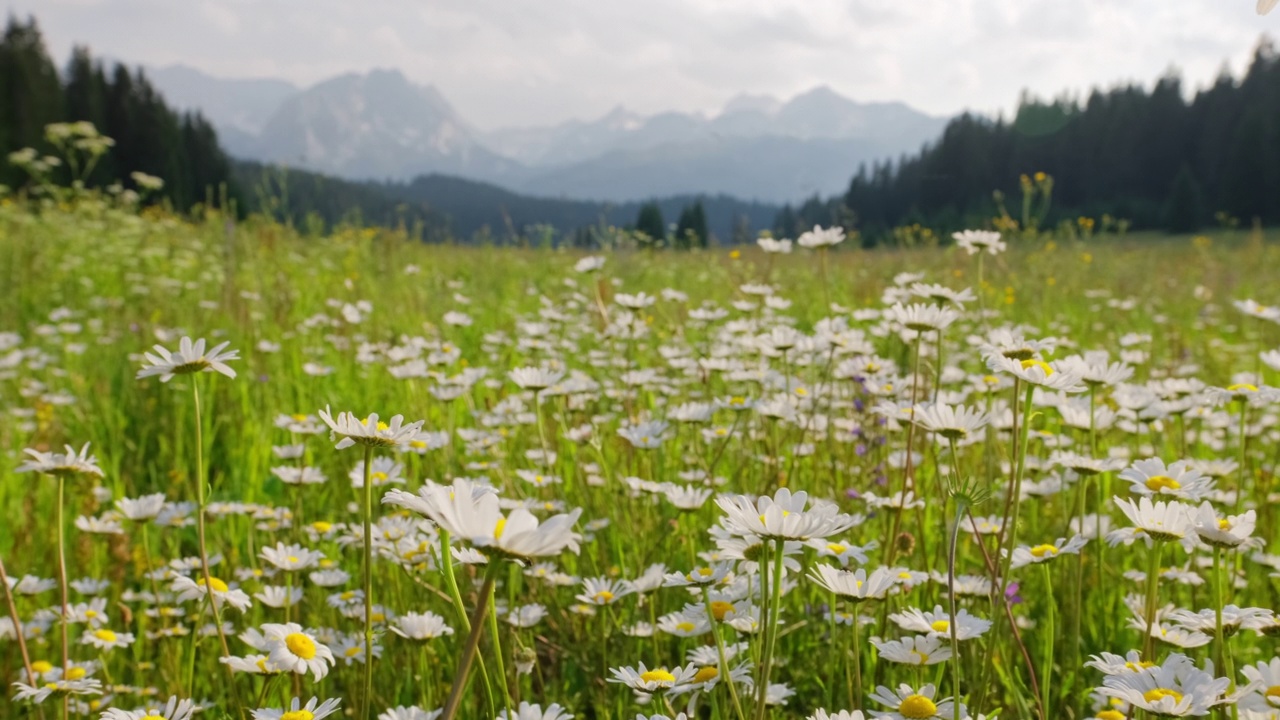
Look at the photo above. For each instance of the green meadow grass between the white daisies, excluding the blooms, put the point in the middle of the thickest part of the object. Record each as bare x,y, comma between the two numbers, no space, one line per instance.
122,282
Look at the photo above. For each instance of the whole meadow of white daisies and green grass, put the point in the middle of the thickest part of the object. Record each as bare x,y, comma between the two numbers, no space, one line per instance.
252,472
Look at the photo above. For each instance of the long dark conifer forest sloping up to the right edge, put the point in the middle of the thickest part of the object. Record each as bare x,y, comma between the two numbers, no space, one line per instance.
1148,156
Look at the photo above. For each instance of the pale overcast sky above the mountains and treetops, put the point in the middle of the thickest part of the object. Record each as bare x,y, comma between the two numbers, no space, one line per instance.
542,62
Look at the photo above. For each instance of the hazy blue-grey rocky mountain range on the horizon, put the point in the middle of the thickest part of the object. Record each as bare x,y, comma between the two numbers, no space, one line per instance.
382,126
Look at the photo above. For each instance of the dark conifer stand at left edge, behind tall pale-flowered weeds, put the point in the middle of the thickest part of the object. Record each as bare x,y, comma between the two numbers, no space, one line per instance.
149,136
